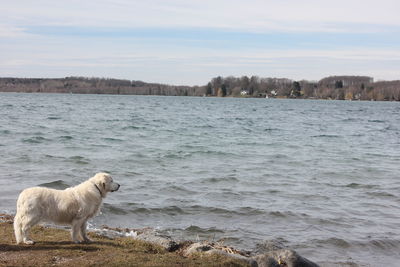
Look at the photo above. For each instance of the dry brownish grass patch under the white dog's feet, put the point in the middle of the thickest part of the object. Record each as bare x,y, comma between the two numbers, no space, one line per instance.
54,248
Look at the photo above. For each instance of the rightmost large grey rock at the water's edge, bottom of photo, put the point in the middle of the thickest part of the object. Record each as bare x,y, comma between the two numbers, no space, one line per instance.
283,257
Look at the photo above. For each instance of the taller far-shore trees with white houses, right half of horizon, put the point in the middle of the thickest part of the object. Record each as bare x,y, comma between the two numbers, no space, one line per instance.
334,87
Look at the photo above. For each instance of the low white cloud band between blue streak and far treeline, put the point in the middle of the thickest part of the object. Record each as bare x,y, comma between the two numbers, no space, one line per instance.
184,67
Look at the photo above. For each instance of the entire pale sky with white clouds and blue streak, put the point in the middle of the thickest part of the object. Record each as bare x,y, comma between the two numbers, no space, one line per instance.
189,42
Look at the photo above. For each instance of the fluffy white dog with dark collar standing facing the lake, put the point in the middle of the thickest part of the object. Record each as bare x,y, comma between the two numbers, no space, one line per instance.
72,206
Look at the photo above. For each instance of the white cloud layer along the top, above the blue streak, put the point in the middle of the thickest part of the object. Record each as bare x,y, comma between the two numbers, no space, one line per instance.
252,15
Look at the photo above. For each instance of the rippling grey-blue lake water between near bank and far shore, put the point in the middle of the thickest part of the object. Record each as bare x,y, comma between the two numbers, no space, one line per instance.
322,177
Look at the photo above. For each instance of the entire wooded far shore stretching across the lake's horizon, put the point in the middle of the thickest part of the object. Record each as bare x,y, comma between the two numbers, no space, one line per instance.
334,87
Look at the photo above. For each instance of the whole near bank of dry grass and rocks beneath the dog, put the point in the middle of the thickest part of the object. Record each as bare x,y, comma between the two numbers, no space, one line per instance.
135,247
